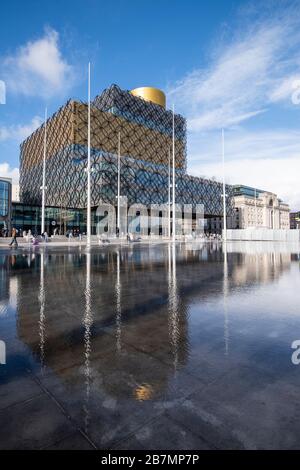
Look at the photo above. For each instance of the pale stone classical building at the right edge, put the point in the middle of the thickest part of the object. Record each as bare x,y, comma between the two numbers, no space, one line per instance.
258,208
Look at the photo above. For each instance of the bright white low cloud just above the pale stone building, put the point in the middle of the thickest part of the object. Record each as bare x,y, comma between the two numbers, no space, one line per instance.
268,160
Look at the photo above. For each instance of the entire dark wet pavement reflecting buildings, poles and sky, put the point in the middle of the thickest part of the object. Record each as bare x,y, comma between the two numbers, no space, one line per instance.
150,347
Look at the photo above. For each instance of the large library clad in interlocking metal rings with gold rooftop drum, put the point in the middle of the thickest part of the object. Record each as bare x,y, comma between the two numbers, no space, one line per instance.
136,124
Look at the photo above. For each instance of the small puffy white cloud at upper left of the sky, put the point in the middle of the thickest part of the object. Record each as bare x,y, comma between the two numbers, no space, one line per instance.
38,68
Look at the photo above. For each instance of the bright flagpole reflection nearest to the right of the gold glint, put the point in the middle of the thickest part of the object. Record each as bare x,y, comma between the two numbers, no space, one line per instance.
173,304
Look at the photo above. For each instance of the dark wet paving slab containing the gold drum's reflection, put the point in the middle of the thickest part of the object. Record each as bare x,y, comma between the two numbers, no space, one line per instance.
118,393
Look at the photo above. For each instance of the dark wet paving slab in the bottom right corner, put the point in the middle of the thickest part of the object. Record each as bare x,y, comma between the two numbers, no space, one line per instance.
245,409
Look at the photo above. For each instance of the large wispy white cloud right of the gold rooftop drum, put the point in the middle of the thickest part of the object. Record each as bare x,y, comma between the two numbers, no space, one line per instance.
255,69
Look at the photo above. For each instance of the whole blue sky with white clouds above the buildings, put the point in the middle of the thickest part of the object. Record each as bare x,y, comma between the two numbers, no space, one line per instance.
232,64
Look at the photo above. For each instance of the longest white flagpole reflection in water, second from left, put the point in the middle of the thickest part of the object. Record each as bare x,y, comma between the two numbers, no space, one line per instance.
87,322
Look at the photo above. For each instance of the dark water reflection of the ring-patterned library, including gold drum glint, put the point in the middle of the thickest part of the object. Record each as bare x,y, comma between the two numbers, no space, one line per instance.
77,348
